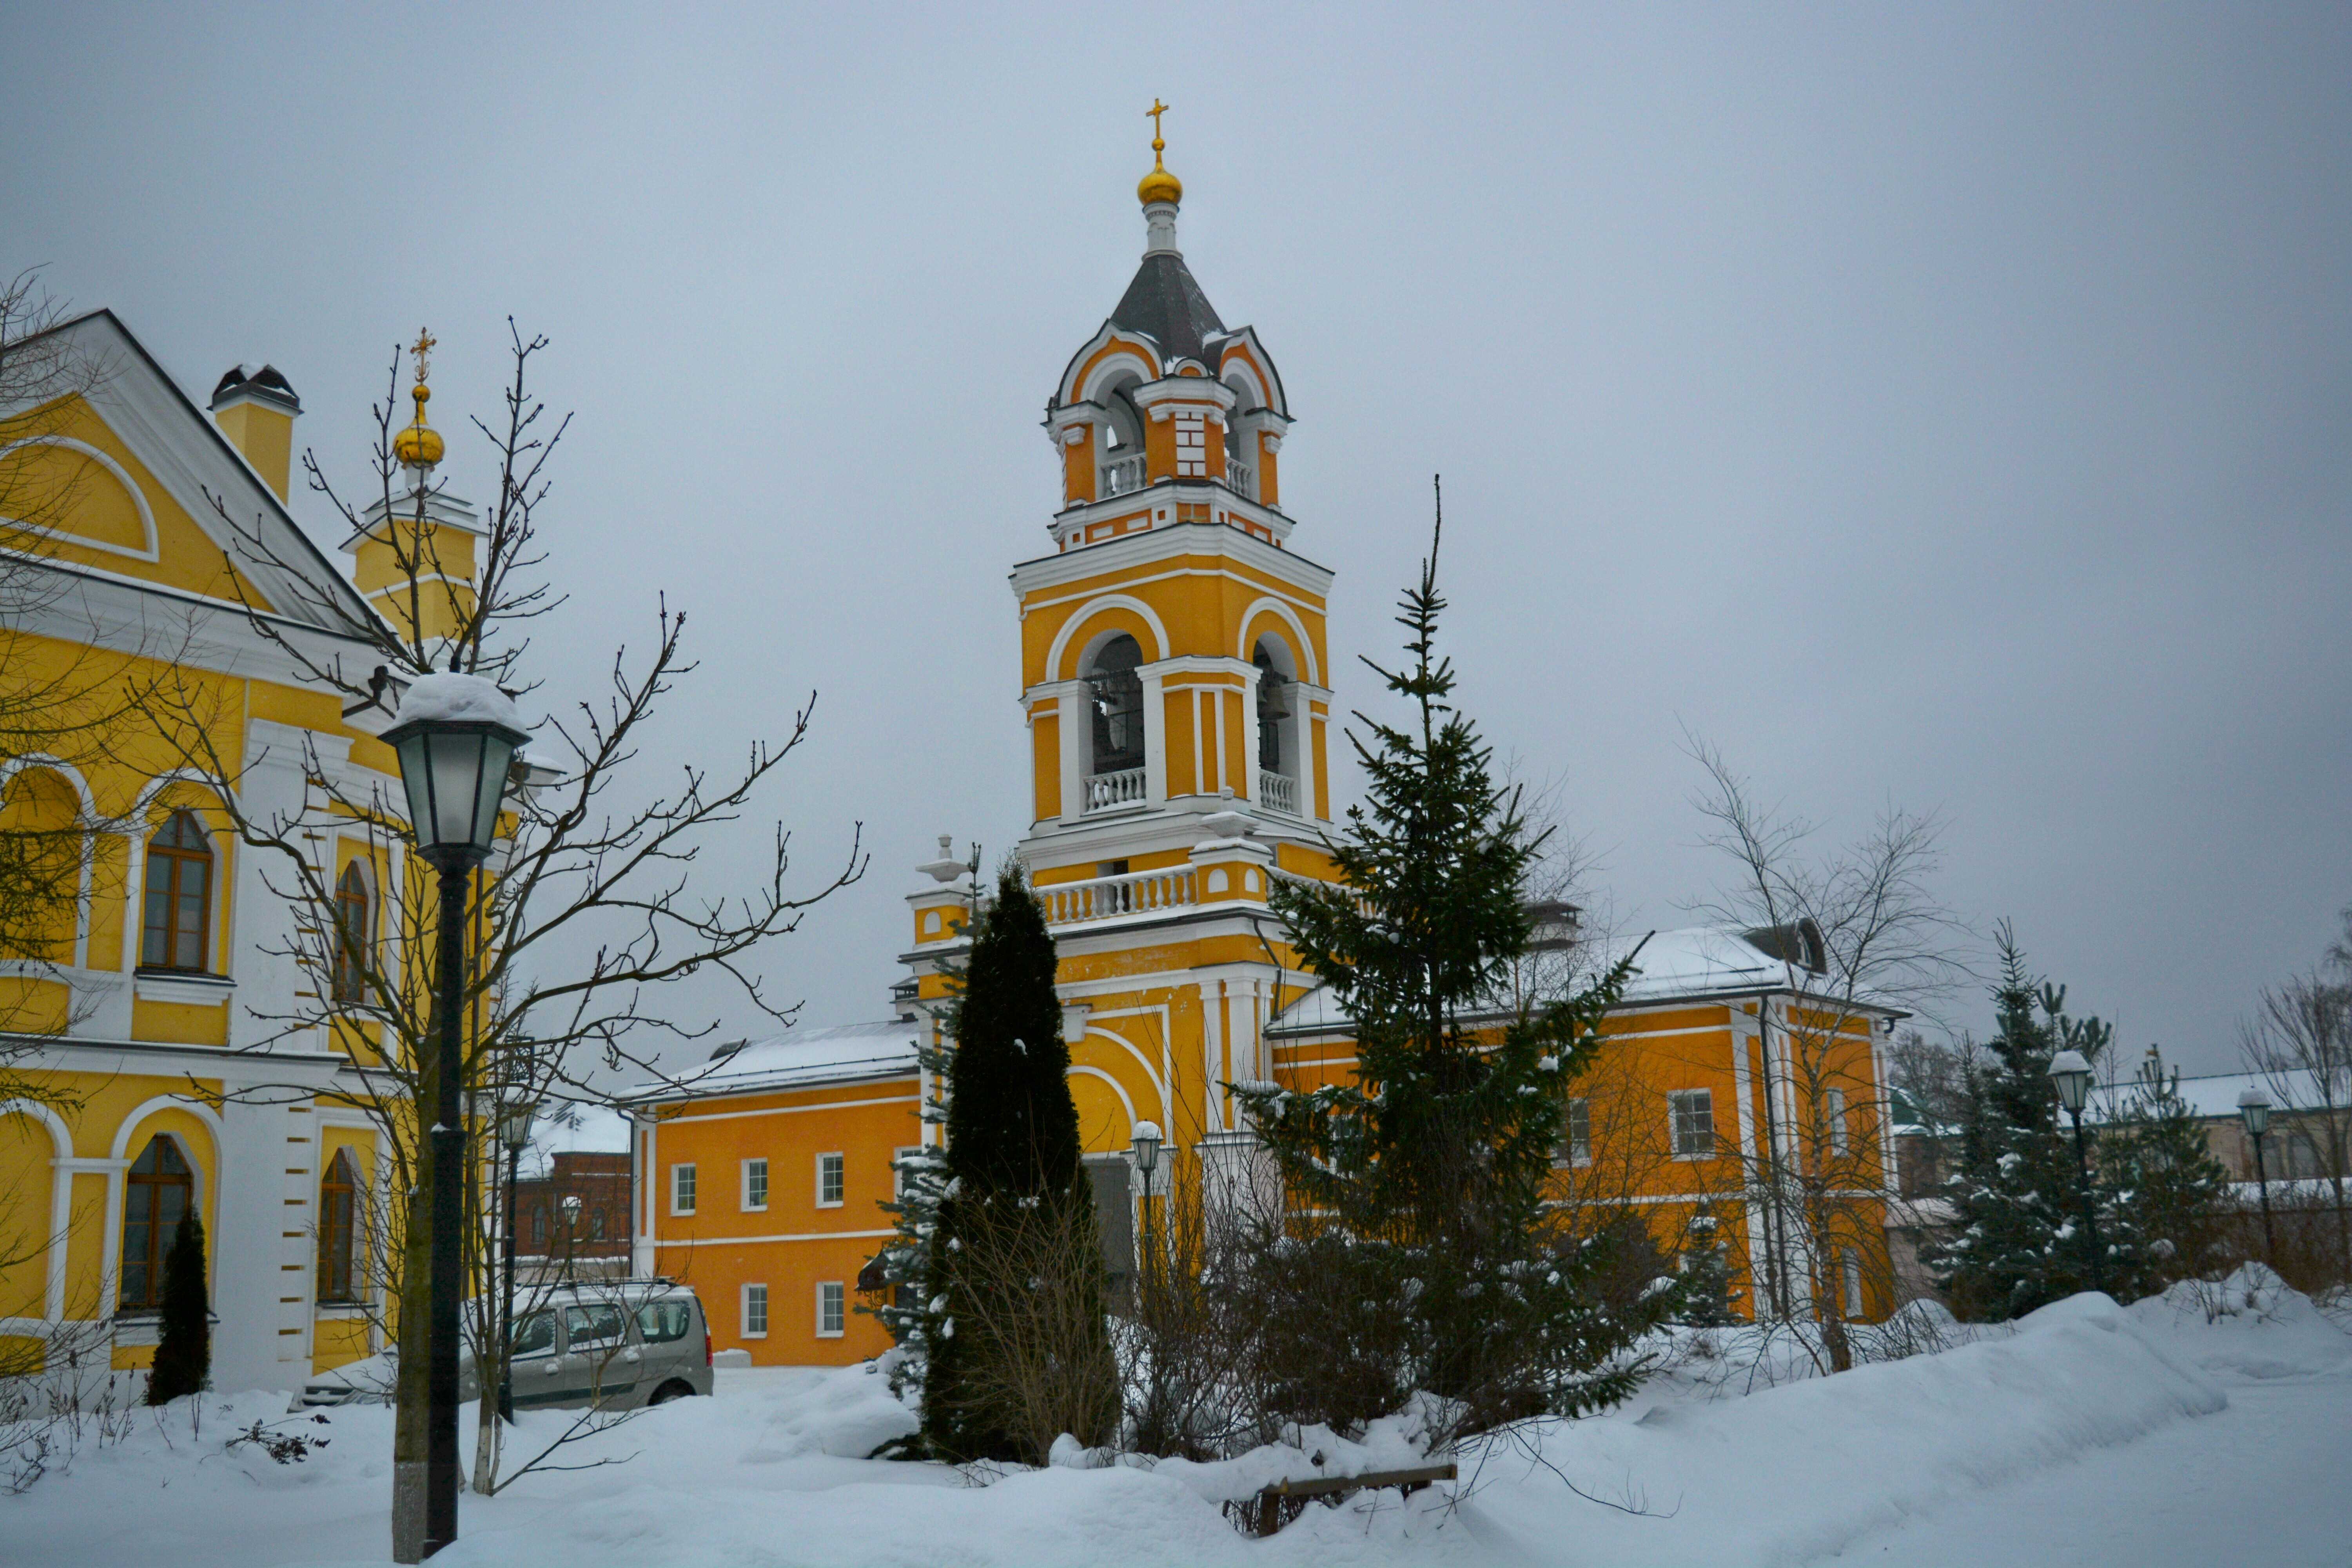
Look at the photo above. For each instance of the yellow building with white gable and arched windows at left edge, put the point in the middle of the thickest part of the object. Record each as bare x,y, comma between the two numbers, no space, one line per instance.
159,1012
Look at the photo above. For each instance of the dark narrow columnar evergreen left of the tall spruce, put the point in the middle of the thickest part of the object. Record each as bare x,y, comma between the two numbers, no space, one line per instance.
1013,1165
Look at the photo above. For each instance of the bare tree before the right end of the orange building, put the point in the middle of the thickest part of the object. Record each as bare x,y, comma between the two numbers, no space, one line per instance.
1859,932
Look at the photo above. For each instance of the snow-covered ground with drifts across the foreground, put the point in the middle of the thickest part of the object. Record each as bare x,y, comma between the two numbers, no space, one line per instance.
2170,1433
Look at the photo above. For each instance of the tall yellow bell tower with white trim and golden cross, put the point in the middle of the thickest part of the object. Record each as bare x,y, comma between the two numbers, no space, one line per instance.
1175,685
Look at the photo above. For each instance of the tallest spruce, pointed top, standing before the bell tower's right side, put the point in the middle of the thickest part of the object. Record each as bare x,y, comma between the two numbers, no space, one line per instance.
1419,1252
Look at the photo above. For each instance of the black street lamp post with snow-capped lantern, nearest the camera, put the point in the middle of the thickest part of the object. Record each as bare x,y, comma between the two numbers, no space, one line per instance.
455,739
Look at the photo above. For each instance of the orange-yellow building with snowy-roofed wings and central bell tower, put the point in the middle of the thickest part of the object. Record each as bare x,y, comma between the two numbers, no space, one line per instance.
1175,683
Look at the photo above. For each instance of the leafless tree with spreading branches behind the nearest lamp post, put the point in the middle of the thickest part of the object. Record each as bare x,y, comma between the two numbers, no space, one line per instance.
584,913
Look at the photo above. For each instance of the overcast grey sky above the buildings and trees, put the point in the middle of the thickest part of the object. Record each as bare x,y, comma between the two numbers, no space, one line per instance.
1925,406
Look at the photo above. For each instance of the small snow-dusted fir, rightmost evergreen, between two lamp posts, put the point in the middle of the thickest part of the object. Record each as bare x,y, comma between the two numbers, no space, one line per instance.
2165,1179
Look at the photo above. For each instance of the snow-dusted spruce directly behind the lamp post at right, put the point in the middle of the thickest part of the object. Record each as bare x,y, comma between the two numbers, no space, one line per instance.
2019,1235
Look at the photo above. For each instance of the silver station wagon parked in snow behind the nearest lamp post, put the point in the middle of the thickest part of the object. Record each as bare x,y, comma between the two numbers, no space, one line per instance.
610,1346
